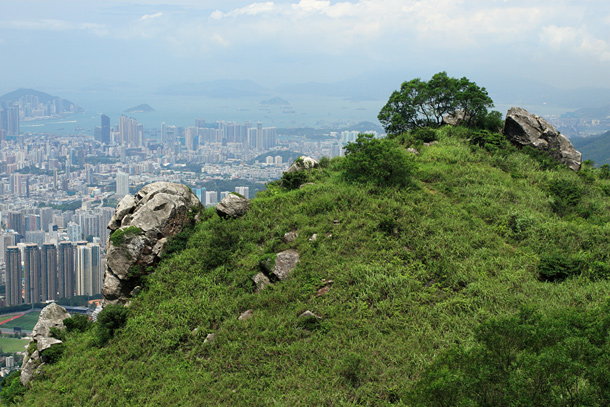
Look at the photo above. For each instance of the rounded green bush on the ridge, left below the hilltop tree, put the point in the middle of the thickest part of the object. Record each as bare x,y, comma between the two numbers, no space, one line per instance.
378,161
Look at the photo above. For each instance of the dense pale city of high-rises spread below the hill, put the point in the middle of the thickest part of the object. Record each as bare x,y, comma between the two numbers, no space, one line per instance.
58,192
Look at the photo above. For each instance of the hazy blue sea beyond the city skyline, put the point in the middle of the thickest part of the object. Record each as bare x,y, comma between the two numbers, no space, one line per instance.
182,111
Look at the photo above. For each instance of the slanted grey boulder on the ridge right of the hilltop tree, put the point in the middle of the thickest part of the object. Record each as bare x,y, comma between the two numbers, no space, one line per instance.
525,129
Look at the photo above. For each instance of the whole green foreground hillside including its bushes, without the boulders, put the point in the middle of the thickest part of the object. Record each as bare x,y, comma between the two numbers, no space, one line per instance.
482,281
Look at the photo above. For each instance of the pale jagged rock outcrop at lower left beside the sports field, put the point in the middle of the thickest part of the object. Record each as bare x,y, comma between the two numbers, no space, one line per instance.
52,316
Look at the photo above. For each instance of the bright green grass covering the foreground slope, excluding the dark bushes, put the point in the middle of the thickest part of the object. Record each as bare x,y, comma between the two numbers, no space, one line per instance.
414,271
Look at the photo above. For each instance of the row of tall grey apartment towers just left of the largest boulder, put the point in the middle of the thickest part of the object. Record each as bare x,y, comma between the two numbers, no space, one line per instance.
37,274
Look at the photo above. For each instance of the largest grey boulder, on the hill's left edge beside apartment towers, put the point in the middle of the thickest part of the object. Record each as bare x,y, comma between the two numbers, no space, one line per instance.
138,232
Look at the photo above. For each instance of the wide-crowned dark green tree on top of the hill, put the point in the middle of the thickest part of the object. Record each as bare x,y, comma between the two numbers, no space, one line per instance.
420,104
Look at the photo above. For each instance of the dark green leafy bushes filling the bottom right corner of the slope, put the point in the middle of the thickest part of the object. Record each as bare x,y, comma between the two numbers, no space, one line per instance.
525,360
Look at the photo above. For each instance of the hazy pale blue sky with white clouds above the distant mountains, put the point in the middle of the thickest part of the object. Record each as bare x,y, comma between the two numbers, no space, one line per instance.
70,43
